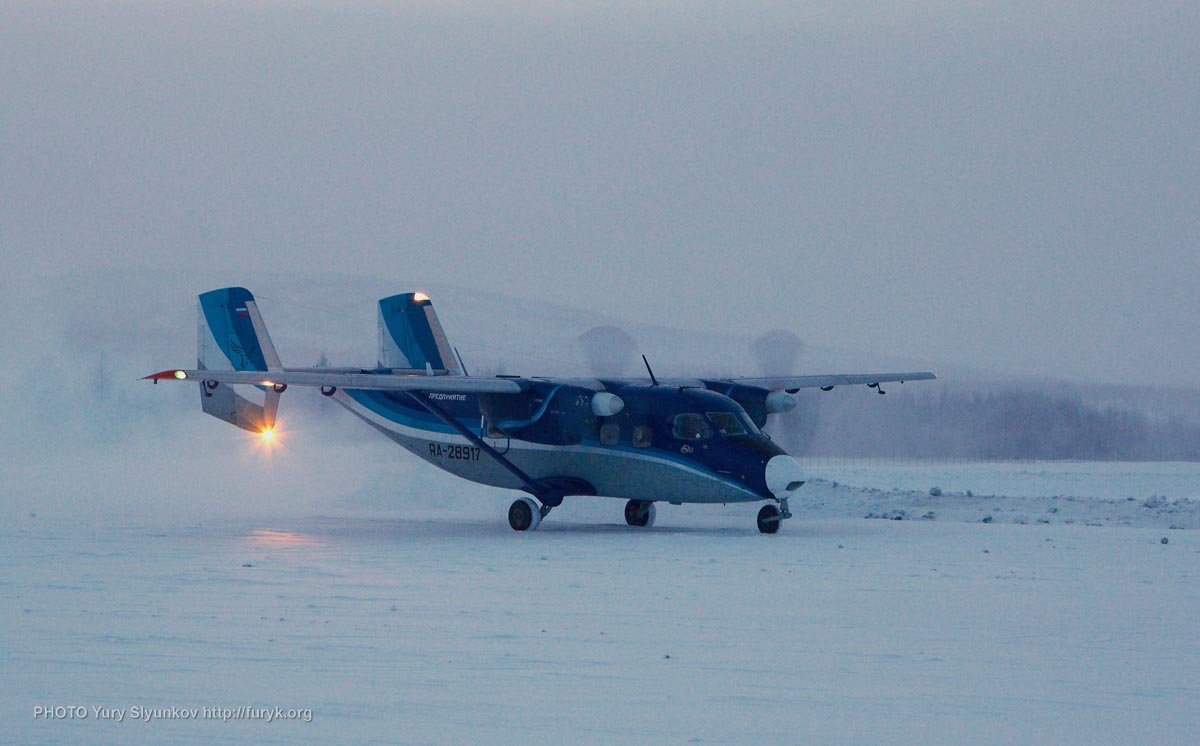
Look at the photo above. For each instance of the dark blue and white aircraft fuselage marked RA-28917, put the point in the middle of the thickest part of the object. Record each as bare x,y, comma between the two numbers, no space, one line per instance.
565,442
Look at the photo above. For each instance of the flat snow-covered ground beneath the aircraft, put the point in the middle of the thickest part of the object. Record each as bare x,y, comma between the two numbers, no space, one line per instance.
425,619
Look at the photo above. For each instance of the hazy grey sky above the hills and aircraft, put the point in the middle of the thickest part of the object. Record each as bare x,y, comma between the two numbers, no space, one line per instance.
1011,186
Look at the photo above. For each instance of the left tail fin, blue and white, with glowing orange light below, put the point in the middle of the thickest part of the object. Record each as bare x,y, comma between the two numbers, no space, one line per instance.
232,338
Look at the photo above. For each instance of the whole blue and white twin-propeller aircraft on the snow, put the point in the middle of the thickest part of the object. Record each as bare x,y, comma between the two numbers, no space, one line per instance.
645,441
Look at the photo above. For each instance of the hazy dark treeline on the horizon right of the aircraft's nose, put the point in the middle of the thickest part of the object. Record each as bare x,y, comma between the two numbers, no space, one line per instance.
992,425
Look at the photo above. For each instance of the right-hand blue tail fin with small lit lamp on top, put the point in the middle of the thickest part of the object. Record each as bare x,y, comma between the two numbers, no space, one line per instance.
412,338
